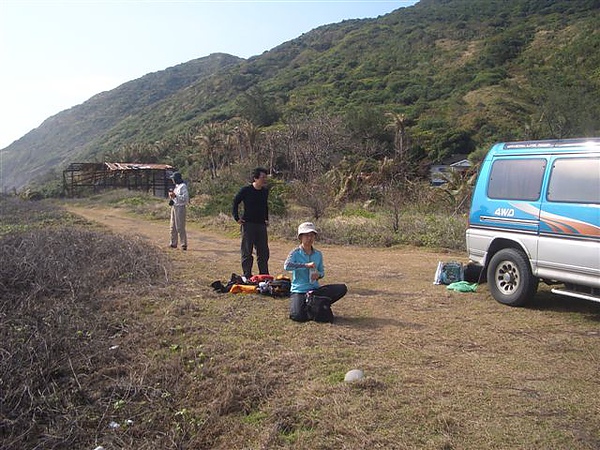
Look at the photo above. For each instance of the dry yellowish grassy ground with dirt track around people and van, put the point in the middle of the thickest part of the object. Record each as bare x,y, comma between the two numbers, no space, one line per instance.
443,370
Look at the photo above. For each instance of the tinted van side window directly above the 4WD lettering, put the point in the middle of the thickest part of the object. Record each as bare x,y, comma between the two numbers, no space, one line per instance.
516,179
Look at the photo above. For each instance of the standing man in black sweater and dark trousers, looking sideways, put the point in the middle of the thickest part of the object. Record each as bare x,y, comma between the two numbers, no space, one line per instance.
254,222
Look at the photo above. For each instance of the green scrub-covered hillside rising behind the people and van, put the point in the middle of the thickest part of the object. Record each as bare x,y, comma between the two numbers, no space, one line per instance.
385,96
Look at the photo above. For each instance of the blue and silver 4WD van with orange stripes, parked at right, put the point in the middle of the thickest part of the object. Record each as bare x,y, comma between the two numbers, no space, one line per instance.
535,216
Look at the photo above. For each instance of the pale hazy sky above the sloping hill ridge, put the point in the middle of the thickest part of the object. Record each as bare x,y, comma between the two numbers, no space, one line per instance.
56,54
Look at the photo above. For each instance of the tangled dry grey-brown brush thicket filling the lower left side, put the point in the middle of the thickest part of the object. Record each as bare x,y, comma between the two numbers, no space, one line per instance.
52,339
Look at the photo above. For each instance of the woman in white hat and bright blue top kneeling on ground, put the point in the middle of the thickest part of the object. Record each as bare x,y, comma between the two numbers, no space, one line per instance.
306,264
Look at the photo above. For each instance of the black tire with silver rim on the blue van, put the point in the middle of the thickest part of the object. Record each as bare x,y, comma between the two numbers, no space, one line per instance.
510,279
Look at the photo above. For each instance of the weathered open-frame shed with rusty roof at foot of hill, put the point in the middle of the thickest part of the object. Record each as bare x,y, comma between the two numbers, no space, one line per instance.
81,179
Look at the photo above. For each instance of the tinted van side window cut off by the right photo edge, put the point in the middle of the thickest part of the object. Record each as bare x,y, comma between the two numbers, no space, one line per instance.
575,180
